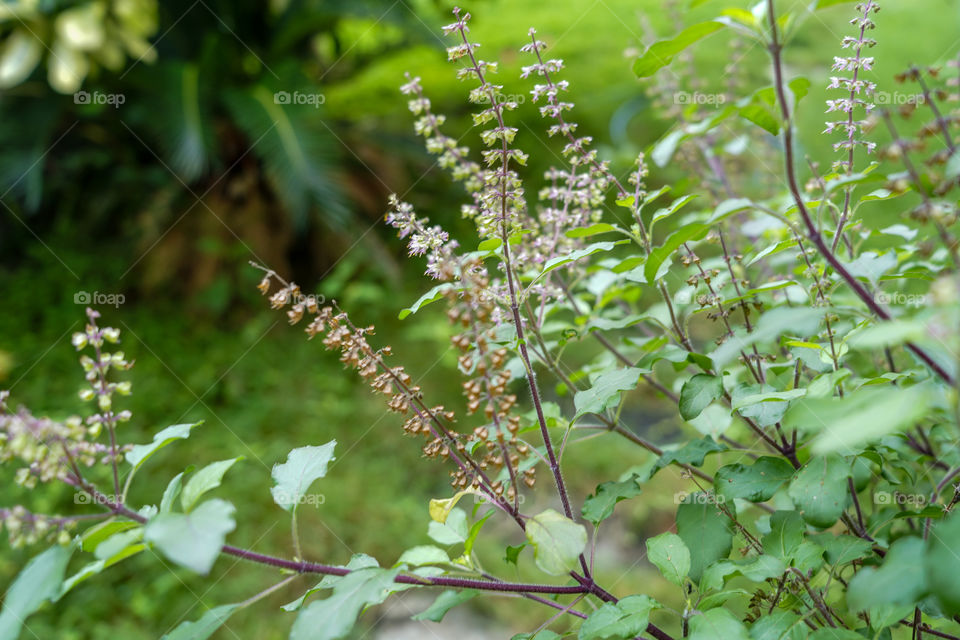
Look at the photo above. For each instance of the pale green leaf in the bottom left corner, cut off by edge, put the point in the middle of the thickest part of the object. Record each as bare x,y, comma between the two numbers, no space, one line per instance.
38,582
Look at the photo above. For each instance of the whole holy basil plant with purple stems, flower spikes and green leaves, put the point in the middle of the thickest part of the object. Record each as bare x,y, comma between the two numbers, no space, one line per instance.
797,326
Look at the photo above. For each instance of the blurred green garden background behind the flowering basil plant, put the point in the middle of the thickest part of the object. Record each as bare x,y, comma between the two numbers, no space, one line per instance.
147,149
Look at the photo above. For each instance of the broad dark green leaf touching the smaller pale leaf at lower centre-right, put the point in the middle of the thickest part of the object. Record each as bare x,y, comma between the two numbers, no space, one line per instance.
707,533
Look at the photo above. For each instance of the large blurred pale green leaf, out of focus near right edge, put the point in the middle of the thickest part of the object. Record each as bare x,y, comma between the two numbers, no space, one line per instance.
847,424
